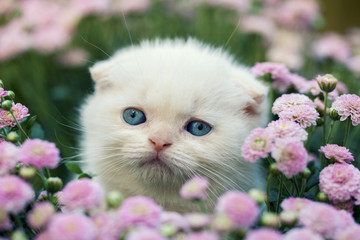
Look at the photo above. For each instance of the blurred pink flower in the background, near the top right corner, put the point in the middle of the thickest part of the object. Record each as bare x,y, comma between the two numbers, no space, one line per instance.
331,45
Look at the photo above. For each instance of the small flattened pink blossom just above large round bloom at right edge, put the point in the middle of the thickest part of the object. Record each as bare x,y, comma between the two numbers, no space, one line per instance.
336,153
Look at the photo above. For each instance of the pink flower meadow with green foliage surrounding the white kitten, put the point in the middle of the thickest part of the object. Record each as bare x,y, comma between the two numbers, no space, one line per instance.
309,148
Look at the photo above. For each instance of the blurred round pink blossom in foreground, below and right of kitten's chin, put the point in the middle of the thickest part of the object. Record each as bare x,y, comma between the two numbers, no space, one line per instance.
239,207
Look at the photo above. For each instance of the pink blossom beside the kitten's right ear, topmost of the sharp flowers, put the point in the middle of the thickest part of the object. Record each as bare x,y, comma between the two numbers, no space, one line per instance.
276,70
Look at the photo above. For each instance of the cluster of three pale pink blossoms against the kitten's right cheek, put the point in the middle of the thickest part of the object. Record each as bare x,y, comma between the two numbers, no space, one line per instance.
283,139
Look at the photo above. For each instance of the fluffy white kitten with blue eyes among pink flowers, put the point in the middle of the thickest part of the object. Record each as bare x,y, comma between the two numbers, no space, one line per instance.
166,110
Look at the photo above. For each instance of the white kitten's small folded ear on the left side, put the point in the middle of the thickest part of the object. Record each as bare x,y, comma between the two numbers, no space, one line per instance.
100,74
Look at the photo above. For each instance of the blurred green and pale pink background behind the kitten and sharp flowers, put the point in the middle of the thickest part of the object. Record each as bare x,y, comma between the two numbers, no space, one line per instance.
46,46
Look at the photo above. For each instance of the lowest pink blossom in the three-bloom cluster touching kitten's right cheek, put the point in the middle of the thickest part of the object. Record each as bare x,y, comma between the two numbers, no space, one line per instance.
290,156
